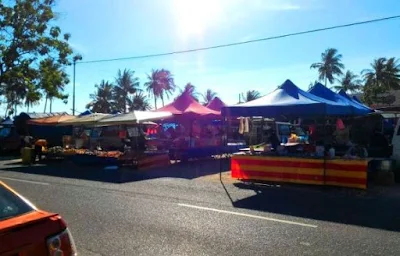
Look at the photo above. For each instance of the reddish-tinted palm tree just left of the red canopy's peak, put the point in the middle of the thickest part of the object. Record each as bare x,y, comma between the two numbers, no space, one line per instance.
160,84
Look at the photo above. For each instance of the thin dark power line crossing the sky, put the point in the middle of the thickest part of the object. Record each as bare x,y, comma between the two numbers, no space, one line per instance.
243,42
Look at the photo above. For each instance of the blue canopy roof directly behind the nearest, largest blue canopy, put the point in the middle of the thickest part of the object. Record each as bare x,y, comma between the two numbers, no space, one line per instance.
324,92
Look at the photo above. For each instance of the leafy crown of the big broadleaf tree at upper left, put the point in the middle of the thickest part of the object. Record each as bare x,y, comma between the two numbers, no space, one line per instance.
27,37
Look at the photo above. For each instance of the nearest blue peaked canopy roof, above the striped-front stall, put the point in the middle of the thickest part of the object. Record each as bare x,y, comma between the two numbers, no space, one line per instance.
288,100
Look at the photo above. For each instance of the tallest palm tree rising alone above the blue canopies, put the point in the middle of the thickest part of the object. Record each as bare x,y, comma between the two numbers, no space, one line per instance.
330,65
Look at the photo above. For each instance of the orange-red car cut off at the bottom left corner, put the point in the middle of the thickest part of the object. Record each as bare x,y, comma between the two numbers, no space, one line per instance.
26,230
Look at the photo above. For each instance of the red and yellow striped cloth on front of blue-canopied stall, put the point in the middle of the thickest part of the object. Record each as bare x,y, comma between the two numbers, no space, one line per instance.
347,173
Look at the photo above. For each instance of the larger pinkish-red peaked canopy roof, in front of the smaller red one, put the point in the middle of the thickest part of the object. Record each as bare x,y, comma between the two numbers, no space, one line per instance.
187,106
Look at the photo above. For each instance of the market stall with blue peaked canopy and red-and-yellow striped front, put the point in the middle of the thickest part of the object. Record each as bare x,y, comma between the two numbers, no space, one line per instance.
299,160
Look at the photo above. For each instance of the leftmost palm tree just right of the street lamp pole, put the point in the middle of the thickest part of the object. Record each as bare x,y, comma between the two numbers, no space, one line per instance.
102,99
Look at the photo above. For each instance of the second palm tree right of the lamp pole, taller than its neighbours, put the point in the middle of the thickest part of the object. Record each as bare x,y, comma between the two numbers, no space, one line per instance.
126,83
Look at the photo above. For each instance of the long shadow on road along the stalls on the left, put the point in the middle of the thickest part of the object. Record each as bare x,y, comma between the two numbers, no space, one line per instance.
187,170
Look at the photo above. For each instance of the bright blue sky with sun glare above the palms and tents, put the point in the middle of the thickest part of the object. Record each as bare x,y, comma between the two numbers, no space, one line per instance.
103,29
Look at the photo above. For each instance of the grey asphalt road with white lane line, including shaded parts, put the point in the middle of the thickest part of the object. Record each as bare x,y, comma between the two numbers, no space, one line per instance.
189,212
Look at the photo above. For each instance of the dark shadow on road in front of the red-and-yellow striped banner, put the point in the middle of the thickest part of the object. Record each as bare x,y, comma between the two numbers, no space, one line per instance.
348,206
